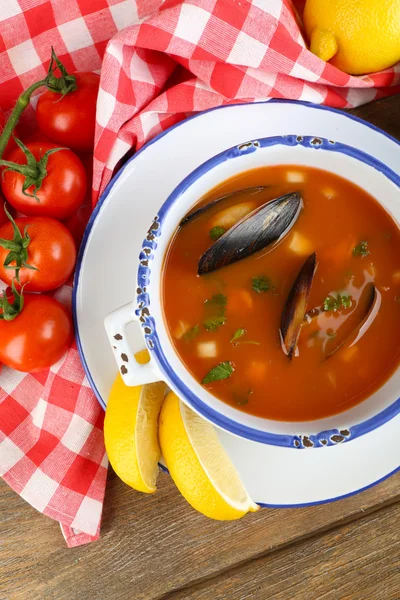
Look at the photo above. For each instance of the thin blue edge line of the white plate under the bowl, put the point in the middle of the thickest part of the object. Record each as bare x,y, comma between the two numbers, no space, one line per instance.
103,198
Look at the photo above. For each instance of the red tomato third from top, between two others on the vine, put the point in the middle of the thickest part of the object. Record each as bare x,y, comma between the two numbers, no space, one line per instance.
51,250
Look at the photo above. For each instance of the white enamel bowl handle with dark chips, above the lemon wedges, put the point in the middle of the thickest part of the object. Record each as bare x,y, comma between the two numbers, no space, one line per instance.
131,371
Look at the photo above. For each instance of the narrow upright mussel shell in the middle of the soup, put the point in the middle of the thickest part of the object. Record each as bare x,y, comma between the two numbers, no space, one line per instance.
296,306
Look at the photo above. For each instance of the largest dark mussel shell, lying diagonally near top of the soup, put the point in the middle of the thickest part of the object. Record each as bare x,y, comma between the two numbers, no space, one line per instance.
257,230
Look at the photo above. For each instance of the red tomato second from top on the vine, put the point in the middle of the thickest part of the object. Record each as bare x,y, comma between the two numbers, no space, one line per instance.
63,188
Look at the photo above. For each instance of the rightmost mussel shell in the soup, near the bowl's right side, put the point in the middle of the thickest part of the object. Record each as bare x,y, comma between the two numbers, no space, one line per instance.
368,307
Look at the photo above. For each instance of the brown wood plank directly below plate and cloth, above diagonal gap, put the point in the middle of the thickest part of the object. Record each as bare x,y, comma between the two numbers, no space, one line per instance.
152,544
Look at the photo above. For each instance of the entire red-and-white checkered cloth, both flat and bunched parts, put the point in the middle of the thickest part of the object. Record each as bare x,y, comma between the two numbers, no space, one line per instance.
165,61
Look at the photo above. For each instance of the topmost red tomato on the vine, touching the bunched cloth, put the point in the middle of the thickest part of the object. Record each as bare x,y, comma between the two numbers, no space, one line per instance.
70,120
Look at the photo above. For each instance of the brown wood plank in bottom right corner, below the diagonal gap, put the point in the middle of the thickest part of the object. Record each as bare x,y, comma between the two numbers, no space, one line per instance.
358,561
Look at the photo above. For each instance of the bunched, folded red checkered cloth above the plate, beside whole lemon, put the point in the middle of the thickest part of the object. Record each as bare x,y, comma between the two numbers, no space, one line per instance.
197,54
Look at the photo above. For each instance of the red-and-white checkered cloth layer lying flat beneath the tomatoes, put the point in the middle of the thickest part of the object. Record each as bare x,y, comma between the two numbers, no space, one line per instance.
51,426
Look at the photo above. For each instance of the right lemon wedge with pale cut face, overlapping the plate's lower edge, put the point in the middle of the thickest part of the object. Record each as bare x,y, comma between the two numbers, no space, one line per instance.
199,465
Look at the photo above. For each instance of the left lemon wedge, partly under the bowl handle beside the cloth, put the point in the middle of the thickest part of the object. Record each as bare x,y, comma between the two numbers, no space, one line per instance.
130,431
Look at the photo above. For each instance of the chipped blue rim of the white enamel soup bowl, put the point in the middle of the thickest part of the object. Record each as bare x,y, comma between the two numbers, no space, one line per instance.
324,438
